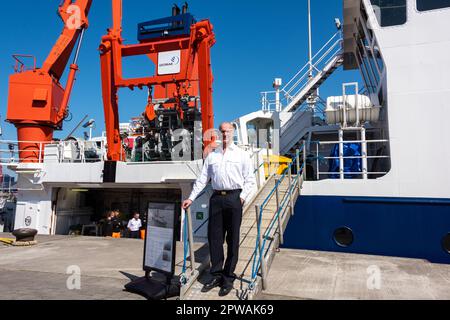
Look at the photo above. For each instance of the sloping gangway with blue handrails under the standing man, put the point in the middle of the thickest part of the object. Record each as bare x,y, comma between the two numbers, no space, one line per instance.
264,221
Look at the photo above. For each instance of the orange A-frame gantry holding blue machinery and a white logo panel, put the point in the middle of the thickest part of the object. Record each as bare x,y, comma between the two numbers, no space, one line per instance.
180,48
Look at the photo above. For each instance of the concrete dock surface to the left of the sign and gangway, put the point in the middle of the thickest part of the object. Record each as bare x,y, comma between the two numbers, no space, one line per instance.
41,272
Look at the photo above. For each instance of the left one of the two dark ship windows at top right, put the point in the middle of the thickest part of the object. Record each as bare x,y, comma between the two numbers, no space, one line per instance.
389,12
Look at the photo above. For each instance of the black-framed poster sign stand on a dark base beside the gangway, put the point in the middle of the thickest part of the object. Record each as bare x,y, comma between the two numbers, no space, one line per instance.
159,254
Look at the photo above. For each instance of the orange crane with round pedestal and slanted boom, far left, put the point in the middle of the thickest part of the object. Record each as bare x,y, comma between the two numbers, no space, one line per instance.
38,103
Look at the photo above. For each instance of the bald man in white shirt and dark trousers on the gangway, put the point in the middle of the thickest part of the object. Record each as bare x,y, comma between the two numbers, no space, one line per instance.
231,172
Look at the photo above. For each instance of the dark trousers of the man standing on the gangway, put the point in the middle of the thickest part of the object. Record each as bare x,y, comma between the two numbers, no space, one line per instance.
225,219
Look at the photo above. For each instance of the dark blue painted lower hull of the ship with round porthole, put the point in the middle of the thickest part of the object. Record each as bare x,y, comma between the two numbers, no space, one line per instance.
402,227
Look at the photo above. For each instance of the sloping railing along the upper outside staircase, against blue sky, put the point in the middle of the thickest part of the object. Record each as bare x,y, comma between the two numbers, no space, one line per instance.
324,56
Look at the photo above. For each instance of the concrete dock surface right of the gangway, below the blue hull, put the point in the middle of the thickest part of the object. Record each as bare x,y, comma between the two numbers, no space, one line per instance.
313,275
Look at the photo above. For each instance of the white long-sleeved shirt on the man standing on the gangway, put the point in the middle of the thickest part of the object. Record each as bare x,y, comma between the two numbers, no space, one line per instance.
227,171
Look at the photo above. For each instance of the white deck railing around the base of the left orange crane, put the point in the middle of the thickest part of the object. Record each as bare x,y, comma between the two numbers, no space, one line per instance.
70,151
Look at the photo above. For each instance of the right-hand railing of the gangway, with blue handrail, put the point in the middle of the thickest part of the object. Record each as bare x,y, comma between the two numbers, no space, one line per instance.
284,205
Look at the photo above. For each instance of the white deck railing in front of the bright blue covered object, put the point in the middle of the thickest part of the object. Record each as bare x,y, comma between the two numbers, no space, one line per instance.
317,160
